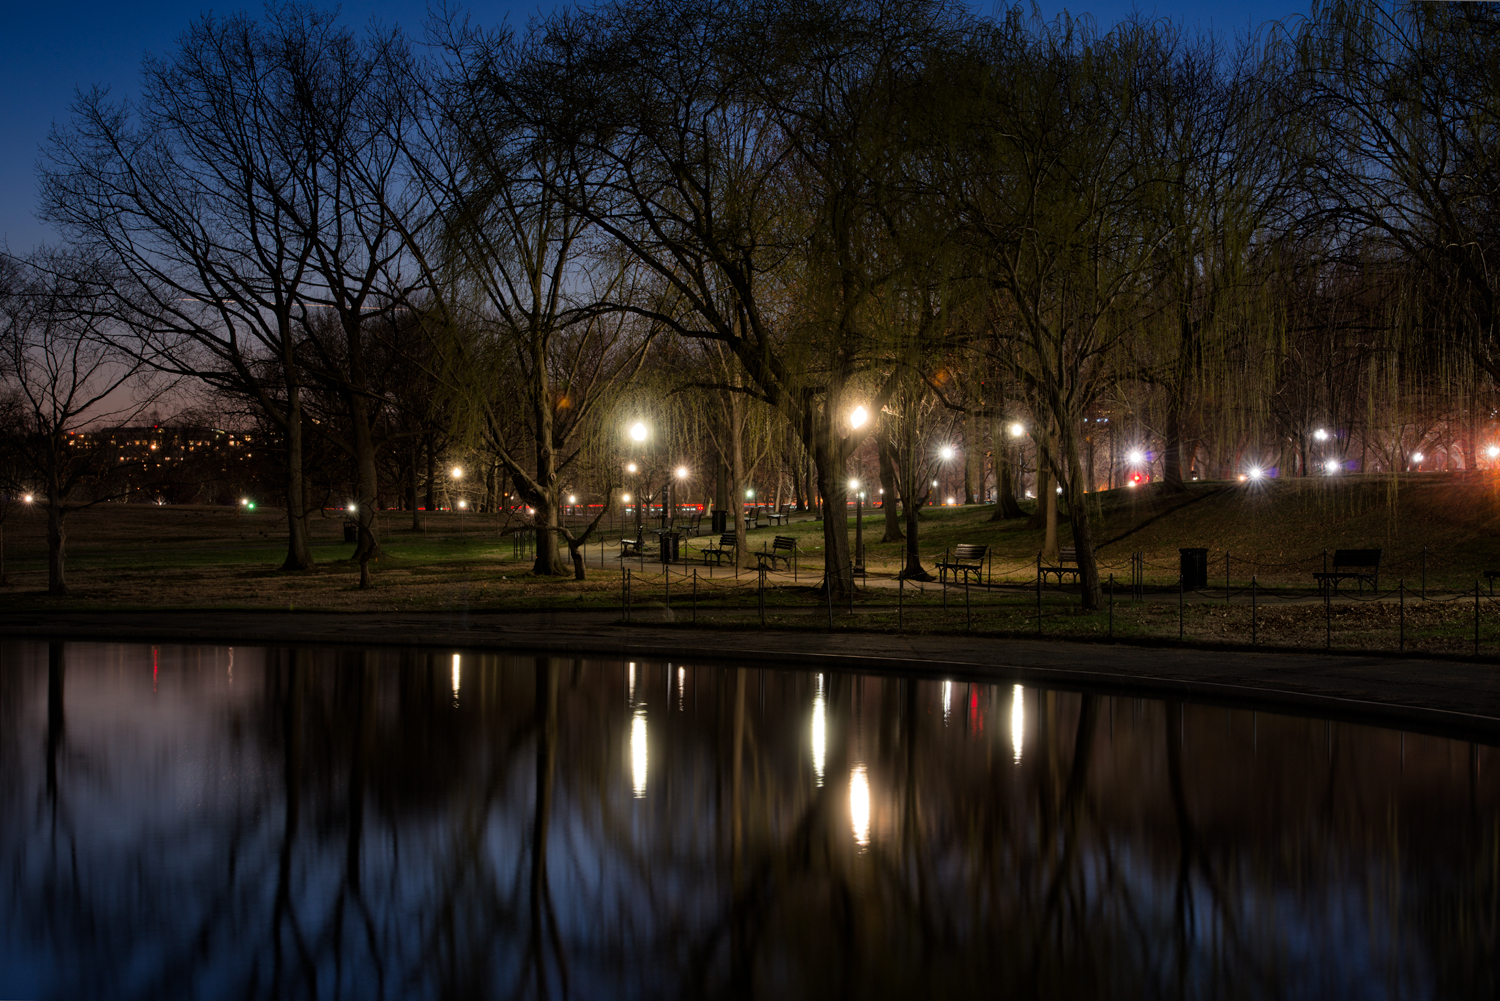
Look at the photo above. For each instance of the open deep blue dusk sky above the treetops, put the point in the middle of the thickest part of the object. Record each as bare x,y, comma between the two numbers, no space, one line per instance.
49,50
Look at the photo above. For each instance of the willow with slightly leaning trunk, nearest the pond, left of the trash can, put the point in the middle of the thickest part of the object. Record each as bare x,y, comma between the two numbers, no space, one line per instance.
1058,203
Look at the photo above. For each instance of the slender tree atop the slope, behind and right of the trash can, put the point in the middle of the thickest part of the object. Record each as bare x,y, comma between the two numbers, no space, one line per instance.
1216,130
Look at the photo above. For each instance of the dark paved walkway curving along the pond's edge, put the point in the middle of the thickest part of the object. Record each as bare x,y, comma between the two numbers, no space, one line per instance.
1435,696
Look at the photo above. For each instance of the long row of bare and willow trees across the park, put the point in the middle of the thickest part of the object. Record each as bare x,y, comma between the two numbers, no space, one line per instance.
794,242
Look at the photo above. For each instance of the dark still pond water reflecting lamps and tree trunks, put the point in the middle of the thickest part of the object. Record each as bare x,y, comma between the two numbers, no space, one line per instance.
299,823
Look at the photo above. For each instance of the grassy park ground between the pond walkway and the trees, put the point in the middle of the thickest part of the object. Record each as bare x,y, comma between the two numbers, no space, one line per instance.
1439,534
